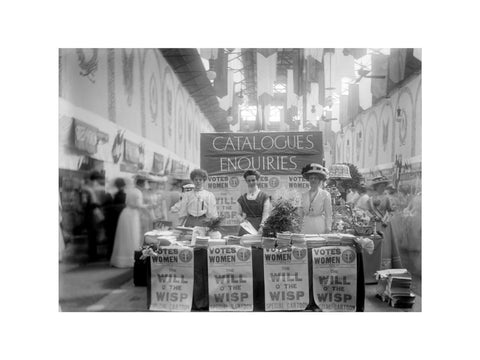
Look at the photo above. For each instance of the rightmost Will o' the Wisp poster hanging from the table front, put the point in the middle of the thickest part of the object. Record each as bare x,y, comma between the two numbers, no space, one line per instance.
335,278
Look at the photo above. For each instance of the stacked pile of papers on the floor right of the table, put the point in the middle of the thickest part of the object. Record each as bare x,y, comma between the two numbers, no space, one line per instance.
394,286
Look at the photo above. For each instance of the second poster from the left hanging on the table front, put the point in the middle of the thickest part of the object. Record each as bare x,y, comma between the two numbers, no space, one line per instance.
230,283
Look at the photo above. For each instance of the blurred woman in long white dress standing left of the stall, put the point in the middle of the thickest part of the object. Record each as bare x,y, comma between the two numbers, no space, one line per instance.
128,236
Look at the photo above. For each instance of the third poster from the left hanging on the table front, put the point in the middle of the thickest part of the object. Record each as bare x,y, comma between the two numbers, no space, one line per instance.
286,278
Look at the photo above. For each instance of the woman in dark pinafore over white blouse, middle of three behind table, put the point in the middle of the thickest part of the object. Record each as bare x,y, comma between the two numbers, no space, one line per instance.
254,205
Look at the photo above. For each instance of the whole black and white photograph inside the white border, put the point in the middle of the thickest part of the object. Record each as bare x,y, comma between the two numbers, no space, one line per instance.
240,179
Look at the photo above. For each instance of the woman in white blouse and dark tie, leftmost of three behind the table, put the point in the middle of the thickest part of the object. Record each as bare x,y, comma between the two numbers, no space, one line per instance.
197,205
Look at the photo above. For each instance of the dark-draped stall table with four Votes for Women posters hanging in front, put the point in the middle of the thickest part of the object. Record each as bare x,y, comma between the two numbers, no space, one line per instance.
322,273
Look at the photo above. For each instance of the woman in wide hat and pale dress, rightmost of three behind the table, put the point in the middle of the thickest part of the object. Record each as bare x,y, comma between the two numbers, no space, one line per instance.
316,208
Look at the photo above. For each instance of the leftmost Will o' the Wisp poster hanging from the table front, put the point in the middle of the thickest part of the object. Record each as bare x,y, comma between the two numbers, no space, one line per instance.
172,279
